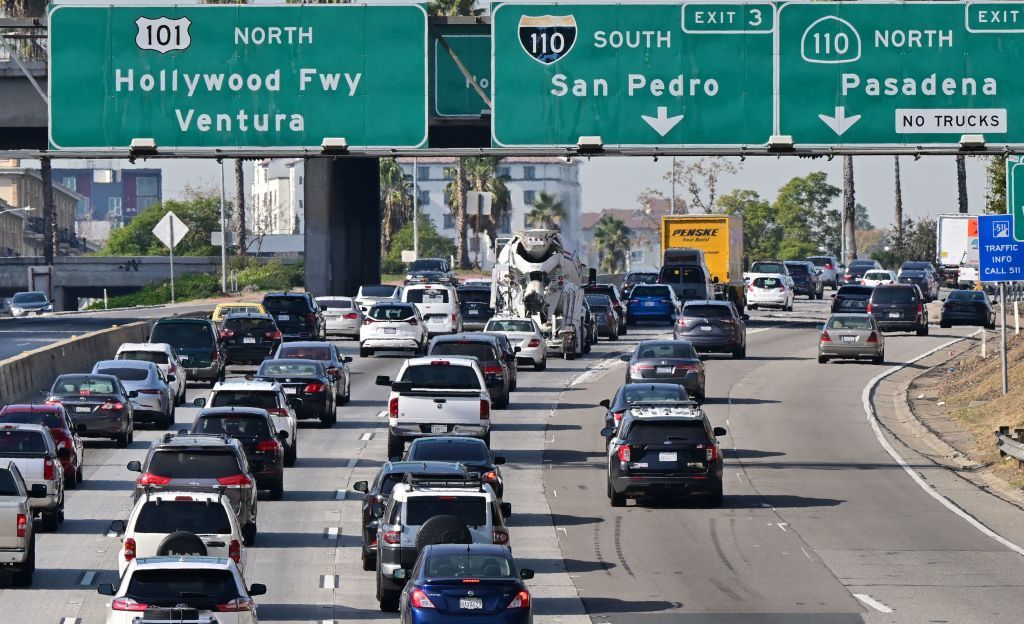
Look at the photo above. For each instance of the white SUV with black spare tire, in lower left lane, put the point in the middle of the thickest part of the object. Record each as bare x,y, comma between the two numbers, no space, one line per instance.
157,521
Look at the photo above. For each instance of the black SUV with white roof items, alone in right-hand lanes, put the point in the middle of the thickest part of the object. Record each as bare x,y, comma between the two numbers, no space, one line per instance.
660,451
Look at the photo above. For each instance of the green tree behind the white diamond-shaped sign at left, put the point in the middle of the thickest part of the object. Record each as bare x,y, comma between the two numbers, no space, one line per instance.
201,213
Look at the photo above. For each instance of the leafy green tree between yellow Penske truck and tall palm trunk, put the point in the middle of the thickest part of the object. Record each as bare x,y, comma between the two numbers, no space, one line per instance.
804,214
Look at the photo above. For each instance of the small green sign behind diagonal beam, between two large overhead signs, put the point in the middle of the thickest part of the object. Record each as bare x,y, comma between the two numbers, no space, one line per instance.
454,94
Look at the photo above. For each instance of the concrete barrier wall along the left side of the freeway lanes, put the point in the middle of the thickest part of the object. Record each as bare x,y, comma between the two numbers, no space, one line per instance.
24,377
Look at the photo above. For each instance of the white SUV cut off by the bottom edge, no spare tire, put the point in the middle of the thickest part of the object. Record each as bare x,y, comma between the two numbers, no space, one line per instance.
163,587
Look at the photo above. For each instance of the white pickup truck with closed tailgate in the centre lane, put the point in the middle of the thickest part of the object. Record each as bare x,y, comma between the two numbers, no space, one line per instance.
437,397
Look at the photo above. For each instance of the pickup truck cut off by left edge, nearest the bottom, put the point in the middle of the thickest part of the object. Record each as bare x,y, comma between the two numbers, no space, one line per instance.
18,539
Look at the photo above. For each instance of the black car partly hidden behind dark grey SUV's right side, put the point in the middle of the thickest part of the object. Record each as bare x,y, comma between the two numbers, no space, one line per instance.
255,430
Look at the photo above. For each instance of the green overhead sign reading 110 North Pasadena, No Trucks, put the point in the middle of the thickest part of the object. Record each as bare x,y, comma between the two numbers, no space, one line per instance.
915,73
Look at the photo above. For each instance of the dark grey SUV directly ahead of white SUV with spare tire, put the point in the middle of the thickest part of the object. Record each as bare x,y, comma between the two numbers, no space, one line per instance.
189,463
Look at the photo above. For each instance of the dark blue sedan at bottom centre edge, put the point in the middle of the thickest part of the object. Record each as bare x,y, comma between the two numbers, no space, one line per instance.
466,584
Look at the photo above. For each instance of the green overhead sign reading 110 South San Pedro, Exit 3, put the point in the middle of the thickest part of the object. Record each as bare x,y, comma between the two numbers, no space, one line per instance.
657,74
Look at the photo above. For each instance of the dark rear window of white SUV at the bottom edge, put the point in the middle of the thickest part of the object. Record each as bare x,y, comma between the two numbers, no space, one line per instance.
182,587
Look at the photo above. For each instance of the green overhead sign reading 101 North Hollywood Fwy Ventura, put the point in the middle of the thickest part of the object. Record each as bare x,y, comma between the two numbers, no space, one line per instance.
224,76
